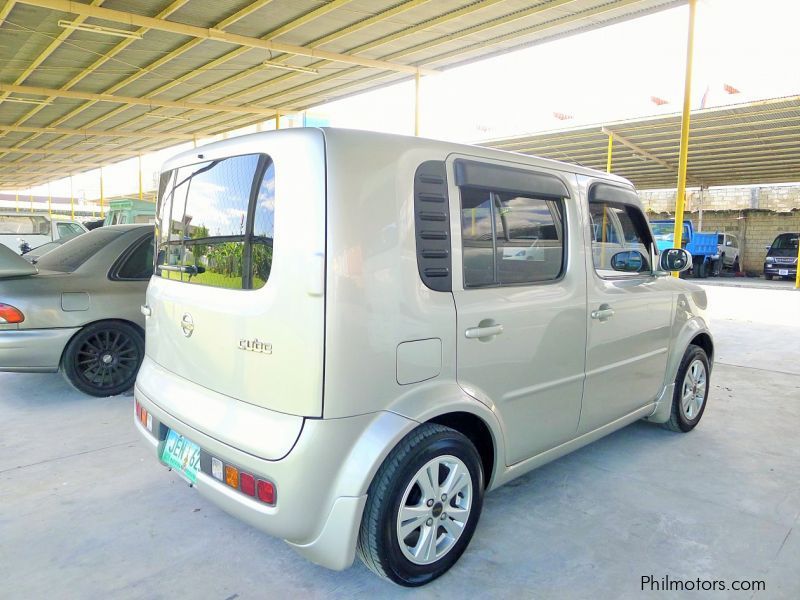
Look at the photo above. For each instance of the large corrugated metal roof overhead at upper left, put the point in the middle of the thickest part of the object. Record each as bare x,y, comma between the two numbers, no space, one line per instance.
169,66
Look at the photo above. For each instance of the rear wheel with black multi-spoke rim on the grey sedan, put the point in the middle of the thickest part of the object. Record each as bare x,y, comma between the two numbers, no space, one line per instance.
102,359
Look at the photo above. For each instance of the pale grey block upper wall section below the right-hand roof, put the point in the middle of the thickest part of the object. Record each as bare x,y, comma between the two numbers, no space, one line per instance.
780,198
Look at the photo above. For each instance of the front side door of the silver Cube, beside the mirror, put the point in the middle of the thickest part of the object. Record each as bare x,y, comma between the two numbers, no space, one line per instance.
629,313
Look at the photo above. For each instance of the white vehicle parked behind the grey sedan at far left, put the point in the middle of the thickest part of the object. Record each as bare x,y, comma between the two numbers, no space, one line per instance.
23,231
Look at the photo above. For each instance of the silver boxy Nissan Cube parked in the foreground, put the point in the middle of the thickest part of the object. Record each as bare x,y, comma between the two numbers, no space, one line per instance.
351,336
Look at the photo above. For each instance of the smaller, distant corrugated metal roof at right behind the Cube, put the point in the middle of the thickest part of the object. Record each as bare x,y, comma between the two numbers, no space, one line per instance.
752,143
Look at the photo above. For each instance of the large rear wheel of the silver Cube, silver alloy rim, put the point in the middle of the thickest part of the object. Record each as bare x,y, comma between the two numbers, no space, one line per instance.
428,509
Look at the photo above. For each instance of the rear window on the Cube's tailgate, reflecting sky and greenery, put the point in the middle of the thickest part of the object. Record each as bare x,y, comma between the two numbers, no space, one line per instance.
215,222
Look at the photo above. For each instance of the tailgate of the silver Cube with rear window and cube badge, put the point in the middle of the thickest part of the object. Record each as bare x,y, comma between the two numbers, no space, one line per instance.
237,299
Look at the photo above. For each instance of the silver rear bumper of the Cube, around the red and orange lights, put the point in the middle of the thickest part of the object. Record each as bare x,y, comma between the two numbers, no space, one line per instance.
320,485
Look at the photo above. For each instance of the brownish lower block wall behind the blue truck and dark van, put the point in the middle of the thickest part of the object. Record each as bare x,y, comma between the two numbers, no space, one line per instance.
755,229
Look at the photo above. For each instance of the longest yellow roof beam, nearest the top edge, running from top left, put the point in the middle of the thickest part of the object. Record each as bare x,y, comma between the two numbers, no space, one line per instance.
215,34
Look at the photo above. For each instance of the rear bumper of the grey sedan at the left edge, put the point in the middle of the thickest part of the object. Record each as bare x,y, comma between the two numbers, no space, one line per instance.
33,350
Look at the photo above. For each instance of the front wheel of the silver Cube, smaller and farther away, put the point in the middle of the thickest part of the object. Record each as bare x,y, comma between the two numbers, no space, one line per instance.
690,396
